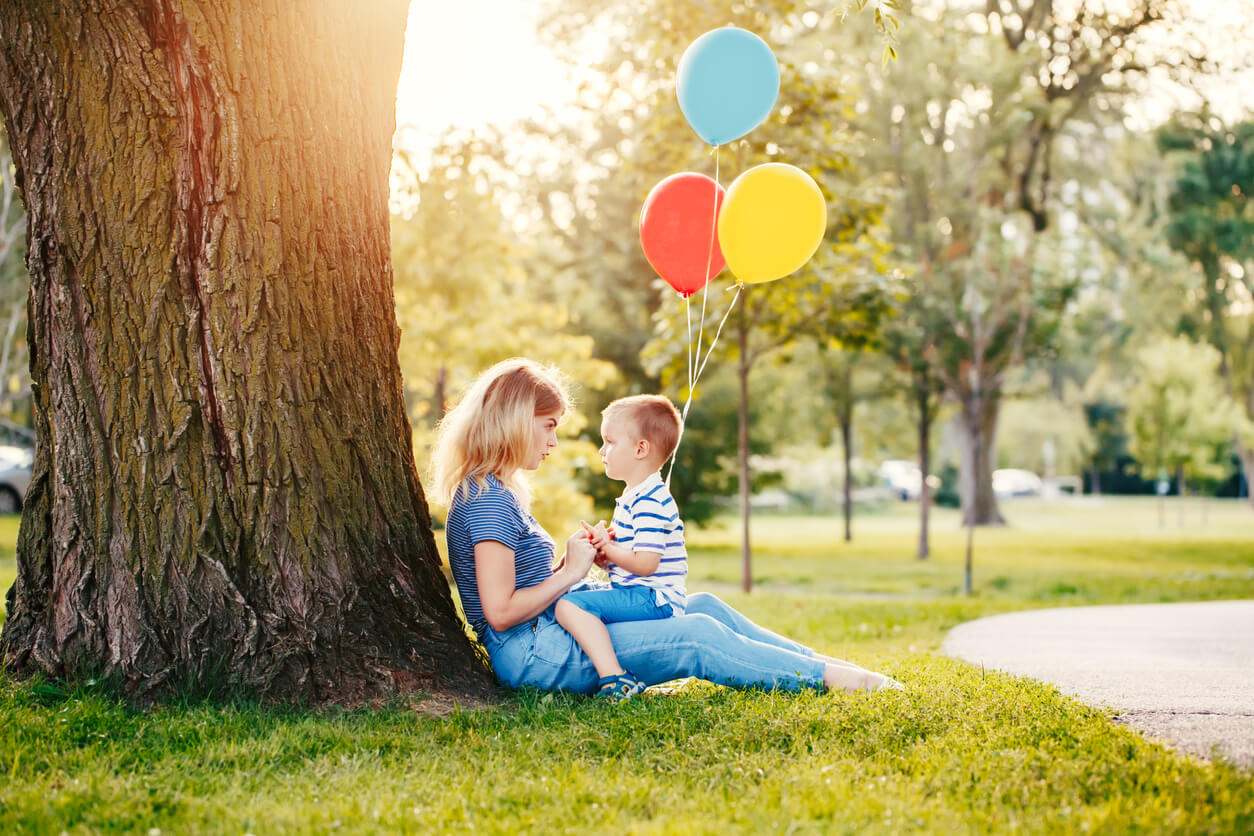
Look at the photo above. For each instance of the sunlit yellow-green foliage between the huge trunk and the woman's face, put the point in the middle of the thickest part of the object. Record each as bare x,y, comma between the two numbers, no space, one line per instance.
465,301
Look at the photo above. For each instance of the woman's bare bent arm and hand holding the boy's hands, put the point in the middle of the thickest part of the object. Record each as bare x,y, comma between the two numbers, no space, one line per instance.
505,606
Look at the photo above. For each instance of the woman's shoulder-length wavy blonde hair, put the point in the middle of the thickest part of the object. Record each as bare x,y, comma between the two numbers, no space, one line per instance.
490,432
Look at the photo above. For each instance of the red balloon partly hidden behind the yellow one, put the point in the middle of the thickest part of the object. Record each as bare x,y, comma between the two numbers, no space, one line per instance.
678,231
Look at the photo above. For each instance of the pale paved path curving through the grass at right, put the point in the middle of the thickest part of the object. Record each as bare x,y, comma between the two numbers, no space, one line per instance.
1183,674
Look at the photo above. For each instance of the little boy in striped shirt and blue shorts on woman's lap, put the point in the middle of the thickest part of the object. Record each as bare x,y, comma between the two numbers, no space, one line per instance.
644,548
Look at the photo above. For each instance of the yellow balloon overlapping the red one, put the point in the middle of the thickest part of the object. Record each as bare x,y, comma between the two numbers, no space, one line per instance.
772,222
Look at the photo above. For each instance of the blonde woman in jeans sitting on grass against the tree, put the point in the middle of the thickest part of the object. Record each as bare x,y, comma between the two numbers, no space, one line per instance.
503,565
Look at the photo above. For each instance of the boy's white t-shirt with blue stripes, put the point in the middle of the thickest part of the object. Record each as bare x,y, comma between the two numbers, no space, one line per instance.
648,520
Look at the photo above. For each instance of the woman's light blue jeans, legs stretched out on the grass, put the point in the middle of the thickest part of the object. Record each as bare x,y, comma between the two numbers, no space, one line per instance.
712,642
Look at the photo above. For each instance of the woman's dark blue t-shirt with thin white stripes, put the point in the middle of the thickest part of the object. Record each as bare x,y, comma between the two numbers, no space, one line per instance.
493,513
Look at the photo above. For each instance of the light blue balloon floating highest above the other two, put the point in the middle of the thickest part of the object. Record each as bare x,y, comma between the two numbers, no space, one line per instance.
727,83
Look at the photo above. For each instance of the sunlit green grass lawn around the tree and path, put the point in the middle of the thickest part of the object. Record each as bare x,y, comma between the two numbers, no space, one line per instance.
961,751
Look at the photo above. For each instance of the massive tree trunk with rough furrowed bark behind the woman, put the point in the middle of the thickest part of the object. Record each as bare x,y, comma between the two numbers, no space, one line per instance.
224,496
